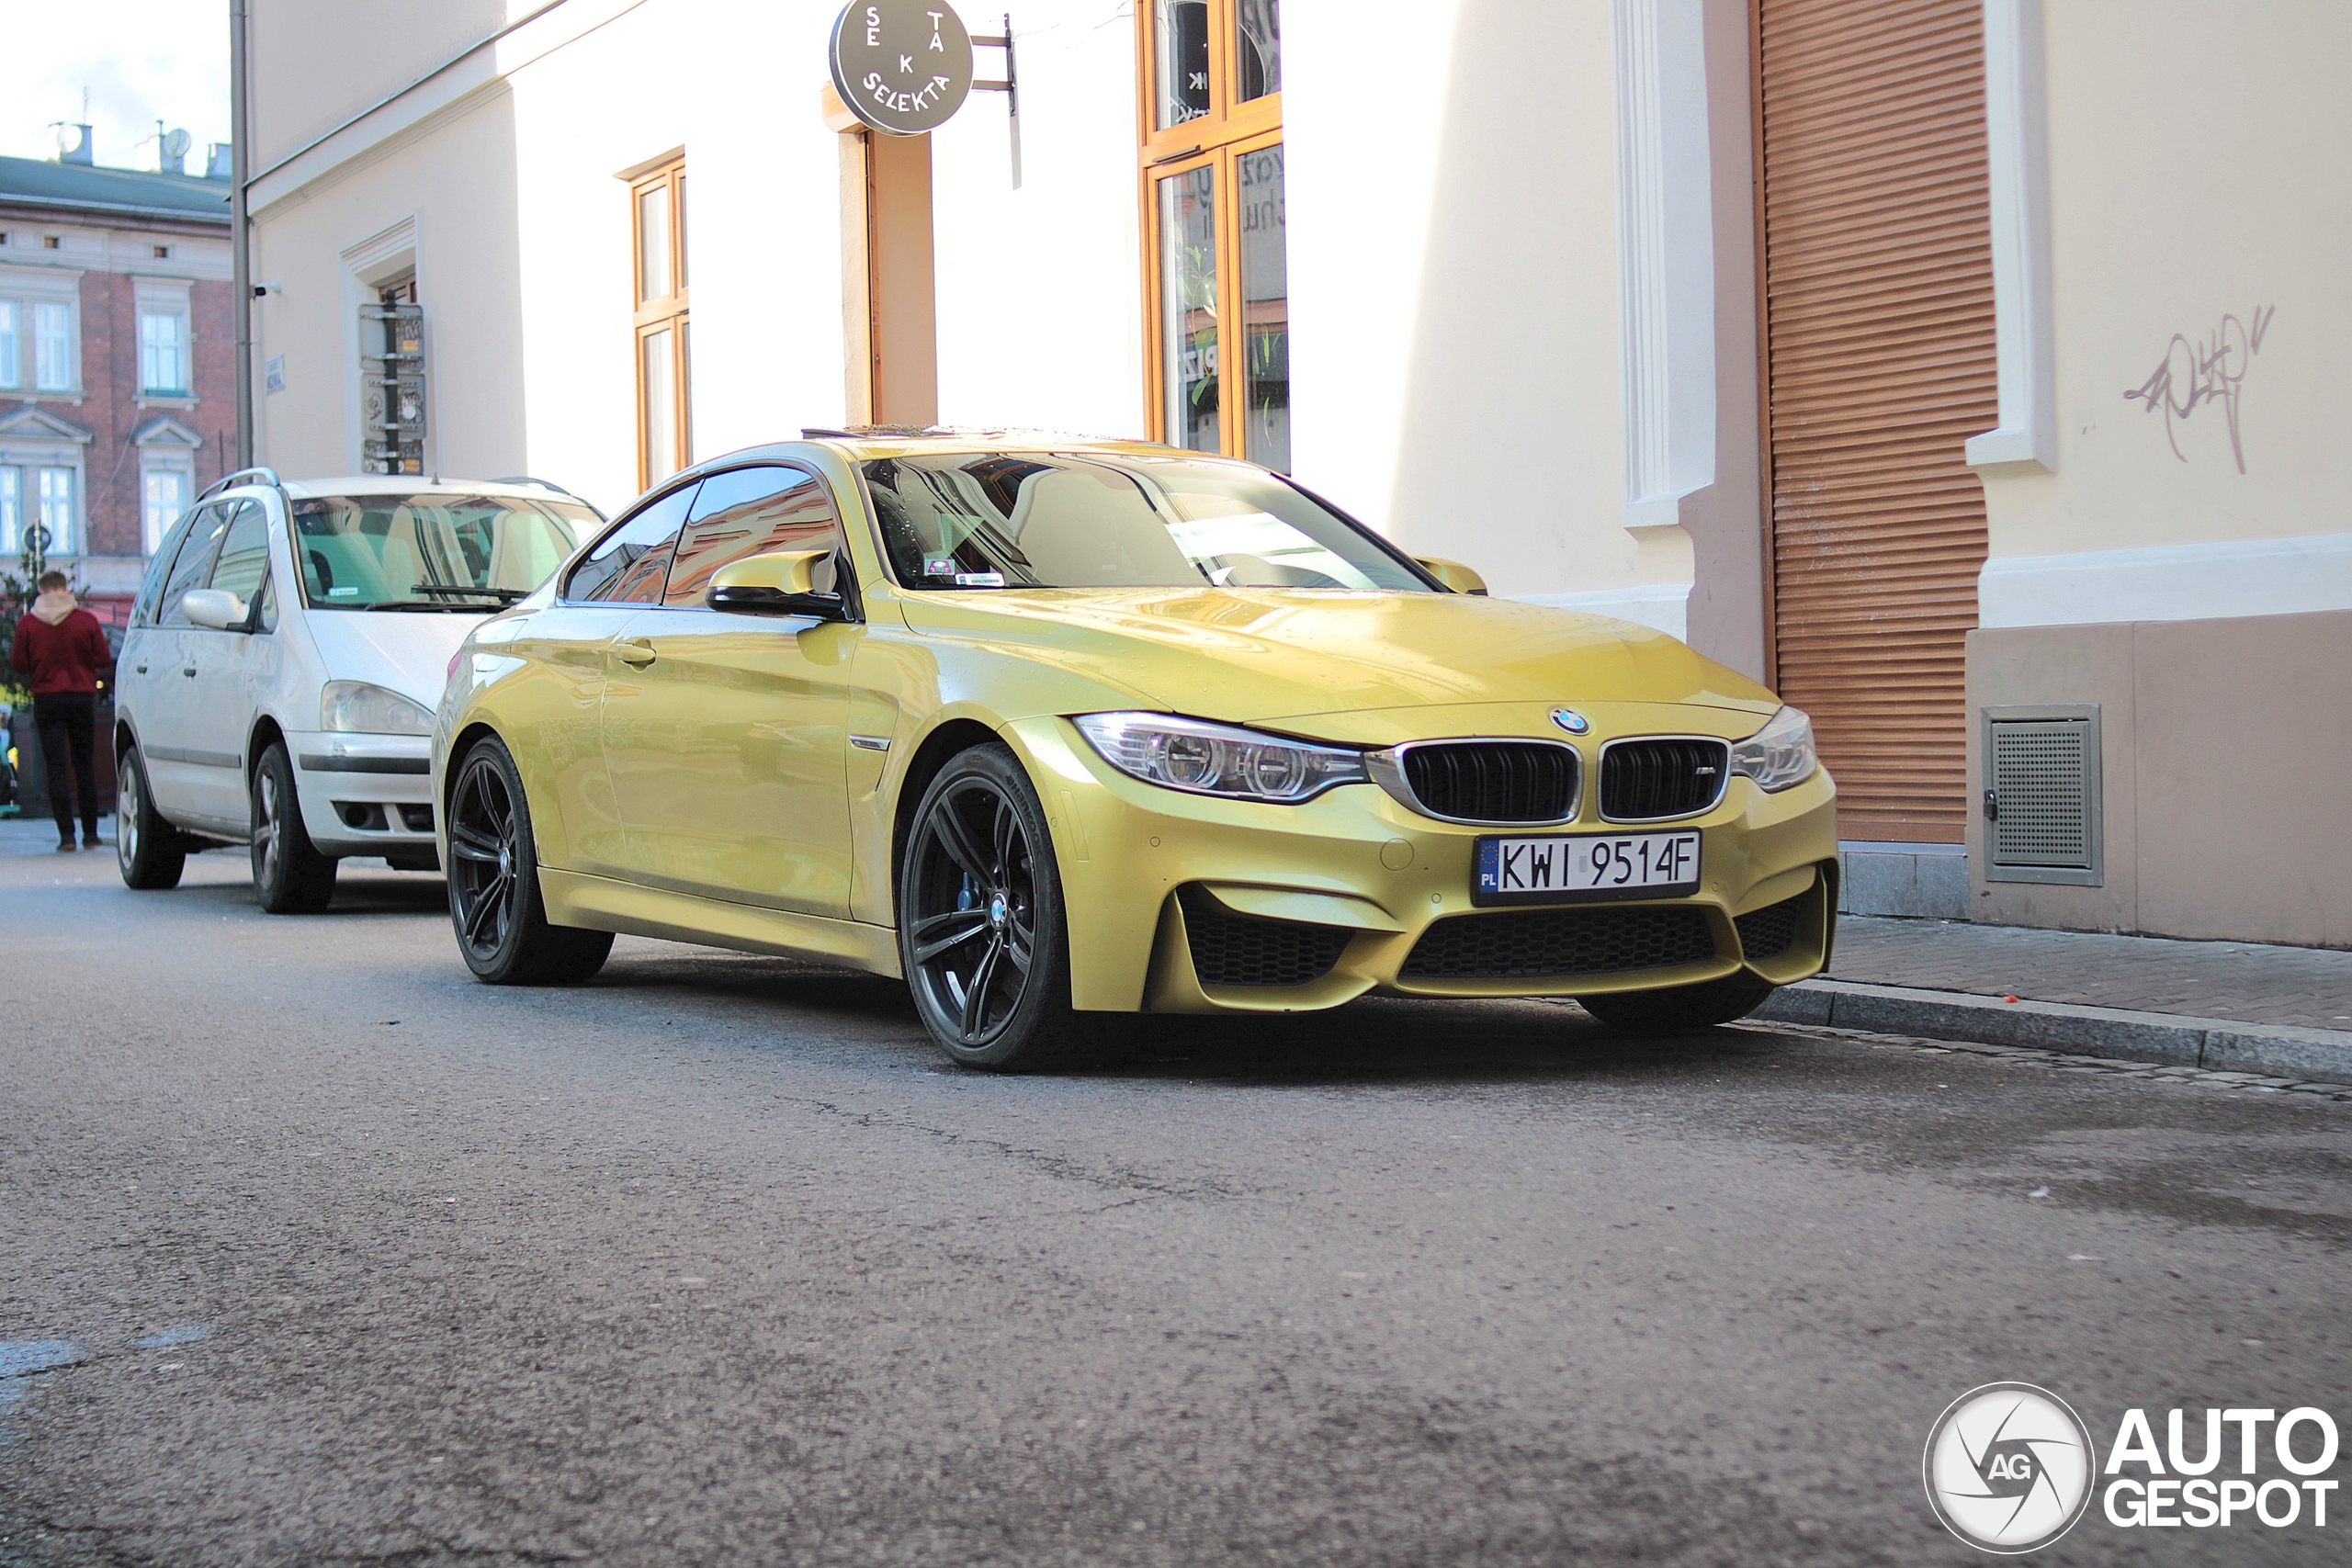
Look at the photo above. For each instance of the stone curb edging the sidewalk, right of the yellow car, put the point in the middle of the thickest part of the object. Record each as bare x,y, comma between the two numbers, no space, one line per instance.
2057,1026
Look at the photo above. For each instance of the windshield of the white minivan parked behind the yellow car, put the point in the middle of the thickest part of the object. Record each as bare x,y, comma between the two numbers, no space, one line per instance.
396,551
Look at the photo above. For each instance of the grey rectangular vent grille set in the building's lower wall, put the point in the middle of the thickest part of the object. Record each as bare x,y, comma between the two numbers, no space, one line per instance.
2043,796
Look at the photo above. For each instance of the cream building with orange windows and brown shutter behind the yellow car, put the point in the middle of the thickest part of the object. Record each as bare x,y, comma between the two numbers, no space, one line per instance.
1887,354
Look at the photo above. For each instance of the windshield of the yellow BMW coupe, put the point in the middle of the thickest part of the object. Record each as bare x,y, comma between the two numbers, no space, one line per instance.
1081,521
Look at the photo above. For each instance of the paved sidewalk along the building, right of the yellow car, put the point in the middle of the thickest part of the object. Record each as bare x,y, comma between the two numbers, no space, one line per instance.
2308,989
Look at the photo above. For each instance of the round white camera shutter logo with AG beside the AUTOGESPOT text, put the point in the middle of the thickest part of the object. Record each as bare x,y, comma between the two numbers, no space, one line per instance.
2010,1468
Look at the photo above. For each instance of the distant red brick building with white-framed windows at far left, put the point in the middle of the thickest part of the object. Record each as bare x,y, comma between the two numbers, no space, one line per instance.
116,356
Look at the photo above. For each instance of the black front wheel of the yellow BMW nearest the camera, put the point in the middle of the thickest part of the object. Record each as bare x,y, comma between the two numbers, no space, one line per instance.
982,930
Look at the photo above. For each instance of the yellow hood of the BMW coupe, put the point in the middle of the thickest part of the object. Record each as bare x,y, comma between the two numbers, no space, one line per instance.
1267,655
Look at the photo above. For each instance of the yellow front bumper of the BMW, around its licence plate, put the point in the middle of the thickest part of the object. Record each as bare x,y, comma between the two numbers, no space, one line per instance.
1170,897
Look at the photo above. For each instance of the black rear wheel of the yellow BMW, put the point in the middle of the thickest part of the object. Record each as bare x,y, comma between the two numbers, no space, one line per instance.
495,902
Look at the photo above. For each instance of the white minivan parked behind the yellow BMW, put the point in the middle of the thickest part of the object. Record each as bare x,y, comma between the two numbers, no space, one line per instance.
286,655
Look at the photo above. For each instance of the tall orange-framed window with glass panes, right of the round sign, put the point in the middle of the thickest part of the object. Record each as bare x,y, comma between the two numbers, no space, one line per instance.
1217,286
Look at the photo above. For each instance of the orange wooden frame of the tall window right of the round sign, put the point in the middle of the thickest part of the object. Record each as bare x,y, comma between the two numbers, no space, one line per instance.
1217,142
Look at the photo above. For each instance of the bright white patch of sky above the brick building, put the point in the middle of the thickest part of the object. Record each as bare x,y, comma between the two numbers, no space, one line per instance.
140,60
